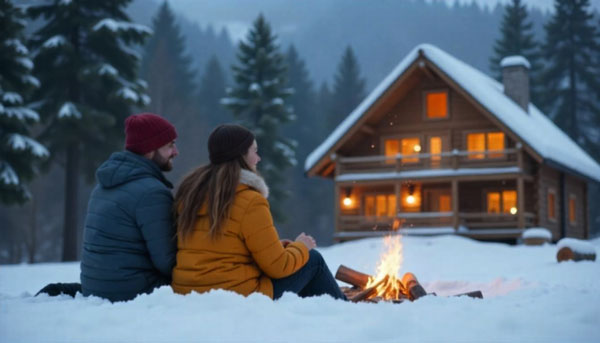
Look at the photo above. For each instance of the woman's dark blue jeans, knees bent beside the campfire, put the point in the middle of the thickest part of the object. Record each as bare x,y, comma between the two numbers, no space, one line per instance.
311,280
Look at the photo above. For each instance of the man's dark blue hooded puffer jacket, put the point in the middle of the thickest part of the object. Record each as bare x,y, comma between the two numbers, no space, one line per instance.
129,244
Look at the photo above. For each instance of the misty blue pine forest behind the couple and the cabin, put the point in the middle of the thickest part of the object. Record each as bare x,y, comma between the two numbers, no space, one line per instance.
63,96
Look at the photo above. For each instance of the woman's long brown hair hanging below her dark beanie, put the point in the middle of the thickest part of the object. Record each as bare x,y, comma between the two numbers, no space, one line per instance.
213,185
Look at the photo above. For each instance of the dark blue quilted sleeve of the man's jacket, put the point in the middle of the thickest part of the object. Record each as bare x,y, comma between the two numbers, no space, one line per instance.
154,217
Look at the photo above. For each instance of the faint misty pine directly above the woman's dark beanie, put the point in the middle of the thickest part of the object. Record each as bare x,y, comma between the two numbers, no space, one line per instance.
212,90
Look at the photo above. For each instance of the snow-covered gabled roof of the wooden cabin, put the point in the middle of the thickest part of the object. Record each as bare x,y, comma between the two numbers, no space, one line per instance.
534,128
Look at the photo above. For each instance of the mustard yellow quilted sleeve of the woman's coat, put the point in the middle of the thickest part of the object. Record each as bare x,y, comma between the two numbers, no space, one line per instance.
263,242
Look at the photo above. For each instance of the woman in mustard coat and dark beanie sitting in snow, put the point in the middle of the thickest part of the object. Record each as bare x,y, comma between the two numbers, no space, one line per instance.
226,238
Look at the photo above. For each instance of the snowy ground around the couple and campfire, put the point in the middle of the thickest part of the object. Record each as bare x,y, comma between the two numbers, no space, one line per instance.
528,297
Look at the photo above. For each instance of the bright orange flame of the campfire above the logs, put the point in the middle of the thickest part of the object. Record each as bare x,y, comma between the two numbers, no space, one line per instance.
388,286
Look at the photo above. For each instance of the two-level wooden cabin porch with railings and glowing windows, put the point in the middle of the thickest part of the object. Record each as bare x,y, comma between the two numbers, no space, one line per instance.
489,196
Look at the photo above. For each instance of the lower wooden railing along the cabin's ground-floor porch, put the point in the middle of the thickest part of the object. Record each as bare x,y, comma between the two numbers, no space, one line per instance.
469,220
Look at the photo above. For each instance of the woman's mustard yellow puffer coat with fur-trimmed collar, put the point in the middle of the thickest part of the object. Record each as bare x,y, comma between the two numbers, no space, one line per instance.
245,257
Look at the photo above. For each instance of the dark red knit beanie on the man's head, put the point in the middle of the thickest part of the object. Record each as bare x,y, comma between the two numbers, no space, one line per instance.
146,132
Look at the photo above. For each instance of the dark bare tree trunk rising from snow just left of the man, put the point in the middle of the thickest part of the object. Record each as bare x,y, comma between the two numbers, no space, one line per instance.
71,204
